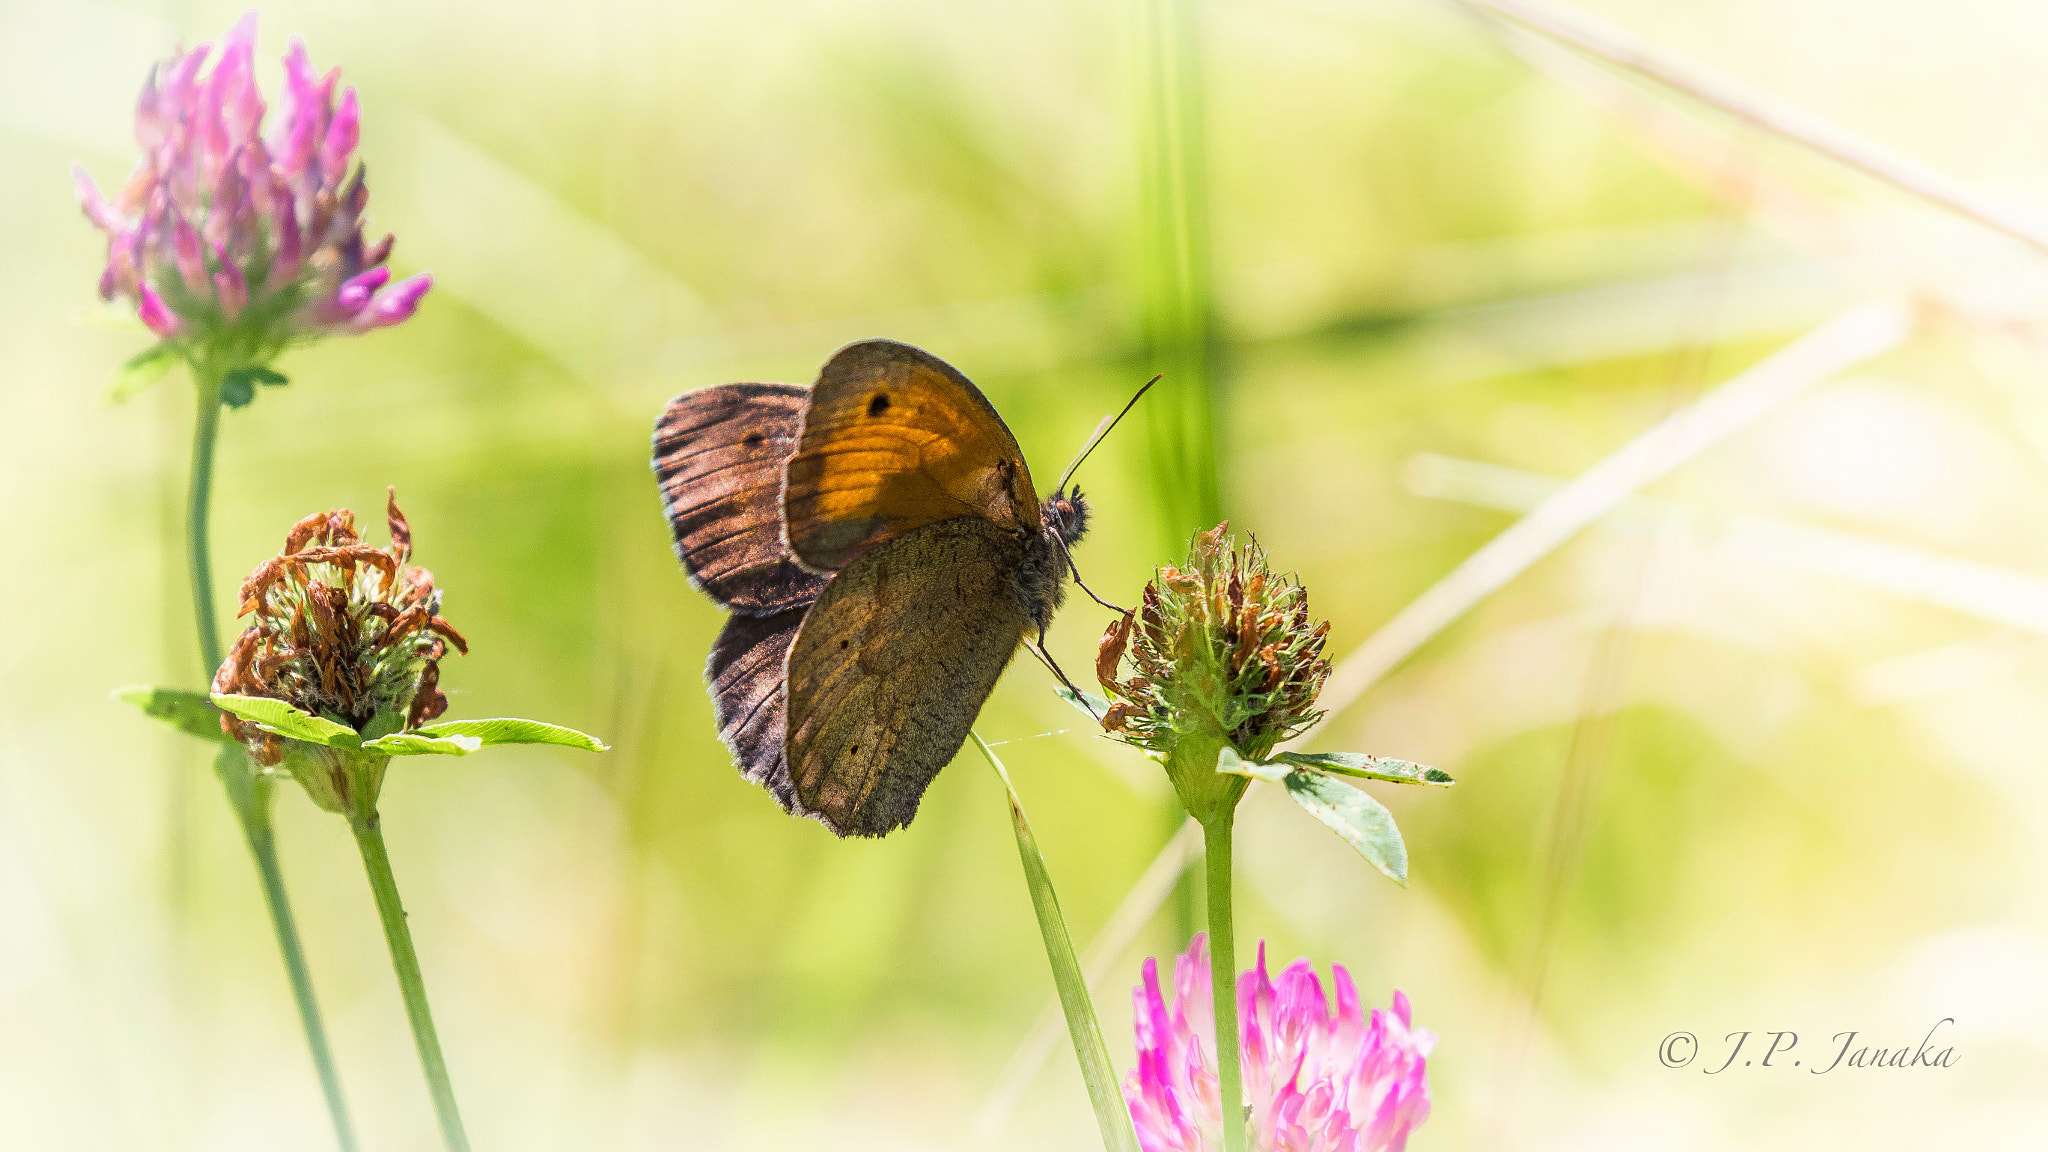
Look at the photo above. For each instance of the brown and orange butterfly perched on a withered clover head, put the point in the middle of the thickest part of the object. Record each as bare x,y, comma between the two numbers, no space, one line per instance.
882,550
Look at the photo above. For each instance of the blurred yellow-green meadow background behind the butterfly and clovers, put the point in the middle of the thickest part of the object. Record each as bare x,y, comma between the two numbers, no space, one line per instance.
1717,772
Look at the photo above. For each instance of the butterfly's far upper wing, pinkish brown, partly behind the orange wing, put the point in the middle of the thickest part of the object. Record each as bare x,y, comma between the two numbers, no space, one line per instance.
720,456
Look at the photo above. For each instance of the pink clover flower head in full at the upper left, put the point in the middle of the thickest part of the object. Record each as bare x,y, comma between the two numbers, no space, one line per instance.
232,241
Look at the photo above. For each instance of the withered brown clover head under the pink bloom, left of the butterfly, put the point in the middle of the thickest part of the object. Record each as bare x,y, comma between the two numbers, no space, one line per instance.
341,630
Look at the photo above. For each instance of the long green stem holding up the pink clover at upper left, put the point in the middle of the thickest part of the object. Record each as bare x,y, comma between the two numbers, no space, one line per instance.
247,792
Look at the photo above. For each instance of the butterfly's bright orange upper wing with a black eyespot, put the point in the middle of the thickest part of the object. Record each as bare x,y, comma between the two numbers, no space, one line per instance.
896,440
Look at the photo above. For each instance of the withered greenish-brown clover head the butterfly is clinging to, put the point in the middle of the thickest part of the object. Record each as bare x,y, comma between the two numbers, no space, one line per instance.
1224,651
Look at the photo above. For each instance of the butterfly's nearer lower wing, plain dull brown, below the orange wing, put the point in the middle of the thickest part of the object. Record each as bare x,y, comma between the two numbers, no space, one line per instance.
892,667
